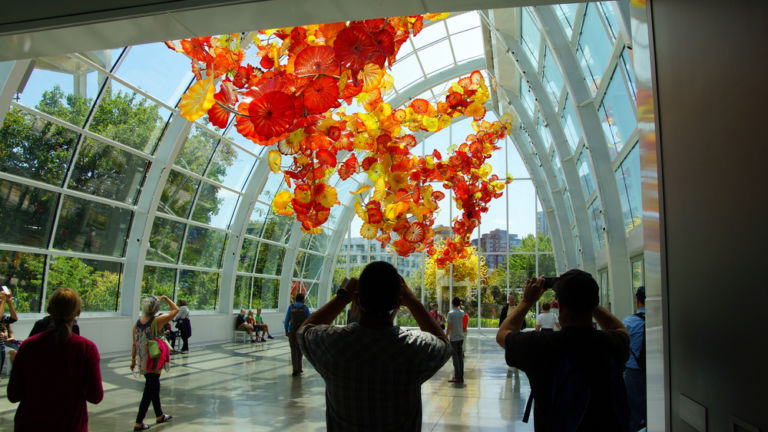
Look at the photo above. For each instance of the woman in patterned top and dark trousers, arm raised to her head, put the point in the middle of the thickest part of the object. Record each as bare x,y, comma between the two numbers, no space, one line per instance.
146,328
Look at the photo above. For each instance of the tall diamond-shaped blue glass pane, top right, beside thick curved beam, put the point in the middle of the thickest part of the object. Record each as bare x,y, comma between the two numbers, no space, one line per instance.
594,48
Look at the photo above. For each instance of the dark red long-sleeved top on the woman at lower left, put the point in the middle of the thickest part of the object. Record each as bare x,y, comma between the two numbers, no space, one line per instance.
52,381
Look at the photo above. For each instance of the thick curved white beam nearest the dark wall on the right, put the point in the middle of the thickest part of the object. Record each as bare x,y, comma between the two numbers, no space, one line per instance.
619,274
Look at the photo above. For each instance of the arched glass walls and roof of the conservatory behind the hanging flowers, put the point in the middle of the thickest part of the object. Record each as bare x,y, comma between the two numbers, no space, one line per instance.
94,153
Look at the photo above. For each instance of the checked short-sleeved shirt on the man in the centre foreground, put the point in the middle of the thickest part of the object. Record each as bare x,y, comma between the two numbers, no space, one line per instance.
373,377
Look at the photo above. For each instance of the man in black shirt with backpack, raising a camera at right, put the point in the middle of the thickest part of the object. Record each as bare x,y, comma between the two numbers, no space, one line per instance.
575,373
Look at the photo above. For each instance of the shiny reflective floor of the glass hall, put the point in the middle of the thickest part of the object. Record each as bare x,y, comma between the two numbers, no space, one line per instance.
248,387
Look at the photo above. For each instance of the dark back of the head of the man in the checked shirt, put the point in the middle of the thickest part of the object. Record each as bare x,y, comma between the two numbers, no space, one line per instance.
378,289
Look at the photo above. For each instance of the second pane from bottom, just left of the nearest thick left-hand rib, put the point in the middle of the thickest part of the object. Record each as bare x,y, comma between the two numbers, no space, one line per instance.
92,227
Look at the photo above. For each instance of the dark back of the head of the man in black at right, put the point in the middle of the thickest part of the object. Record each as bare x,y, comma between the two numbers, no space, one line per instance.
577,293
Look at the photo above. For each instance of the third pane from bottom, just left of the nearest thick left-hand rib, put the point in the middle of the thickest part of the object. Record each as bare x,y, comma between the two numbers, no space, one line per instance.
108,172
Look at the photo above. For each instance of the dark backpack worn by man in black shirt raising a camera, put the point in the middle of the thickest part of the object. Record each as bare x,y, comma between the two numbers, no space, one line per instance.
572,395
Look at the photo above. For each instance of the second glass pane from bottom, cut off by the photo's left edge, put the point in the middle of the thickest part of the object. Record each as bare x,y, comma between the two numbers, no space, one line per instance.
26,214
